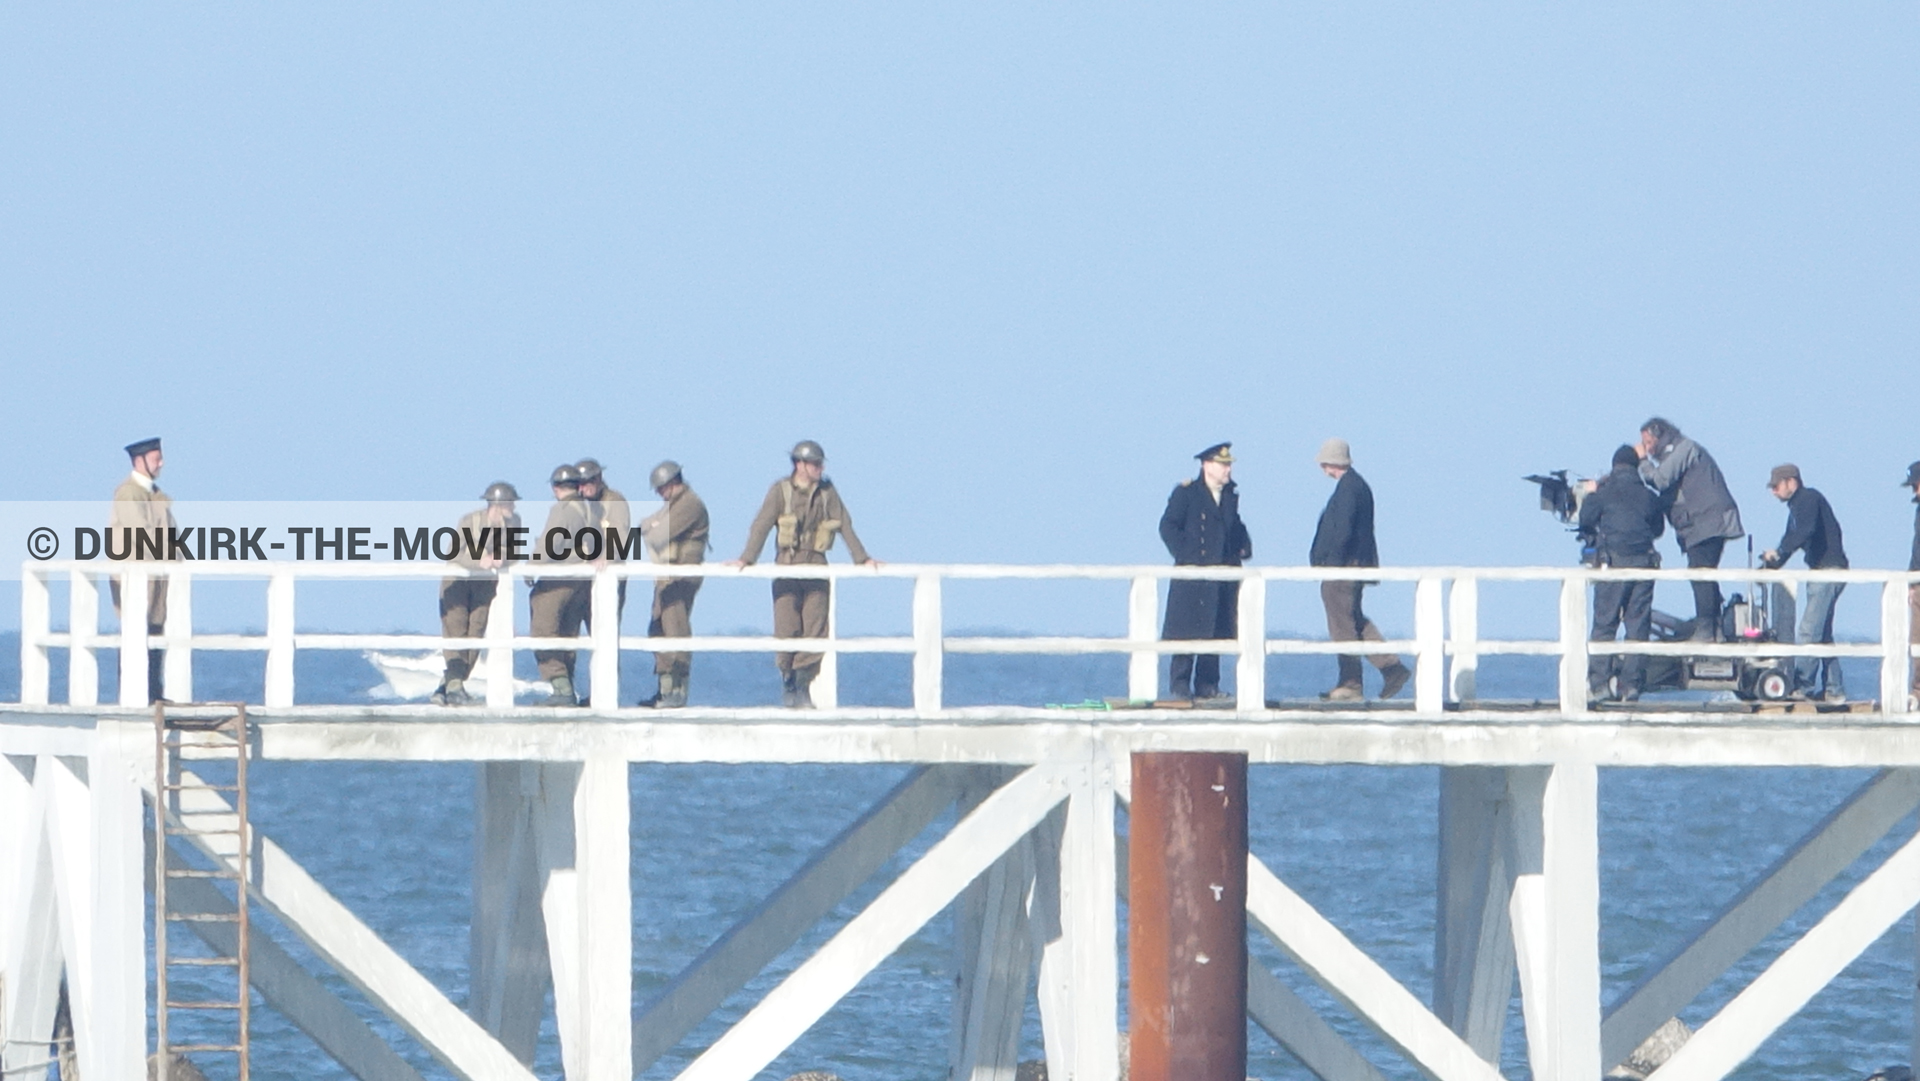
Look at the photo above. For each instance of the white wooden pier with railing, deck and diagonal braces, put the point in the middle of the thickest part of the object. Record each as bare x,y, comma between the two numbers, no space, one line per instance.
1032,859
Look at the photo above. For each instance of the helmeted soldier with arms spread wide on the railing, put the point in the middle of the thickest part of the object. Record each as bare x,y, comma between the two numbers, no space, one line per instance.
805,514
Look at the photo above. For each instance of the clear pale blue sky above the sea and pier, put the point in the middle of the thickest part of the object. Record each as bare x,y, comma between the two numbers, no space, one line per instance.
1011,264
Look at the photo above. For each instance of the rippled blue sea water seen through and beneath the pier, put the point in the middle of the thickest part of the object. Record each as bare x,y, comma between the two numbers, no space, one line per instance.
395,842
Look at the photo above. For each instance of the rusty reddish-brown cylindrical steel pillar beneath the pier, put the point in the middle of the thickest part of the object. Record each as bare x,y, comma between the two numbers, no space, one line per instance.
1188,917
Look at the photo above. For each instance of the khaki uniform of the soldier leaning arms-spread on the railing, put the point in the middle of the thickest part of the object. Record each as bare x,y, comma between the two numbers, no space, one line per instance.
805,523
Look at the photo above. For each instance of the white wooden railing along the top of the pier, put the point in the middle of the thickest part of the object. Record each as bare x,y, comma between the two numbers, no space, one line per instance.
1447,642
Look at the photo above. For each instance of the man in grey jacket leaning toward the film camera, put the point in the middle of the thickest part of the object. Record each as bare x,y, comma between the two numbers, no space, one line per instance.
1698,504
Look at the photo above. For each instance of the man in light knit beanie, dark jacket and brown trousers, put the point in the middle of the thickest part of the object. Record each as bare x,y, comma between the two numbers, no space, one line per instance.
1345,539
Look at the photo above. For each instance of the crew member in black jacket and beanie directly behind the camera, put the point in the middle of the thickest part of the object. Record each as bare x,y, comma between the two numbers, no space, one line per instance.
1621,517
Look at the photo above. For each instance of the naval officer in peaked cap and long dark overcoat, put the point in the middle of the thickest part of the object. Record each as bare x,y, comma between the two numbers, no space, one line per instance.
1203,529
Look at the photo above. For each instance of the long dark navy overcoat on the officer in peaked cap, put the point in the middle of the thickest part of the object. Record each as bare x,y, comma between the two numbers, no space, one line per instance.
1201,533
